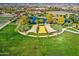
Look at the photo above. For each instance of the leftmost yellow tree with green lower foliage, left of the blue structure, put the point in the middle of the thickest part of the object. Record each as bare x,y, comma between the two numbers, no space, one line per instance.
22,23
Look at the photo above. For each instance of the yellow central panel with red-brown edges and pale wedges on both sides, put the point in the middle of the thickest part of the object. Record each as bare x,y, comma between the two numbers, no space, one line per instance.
41,29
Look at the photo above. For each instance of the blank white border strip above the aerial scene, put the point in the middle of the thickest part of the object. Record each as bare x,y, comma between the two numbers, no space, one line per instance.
39,1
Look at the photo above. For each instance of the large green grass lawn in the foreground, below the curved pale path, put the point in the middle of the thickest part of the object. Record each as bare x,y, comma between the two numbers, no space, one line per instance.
12,43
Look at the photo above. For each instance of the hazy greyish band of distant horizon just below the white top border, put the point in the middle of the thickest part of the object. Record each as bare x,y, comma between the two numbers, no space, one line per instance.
38,4
